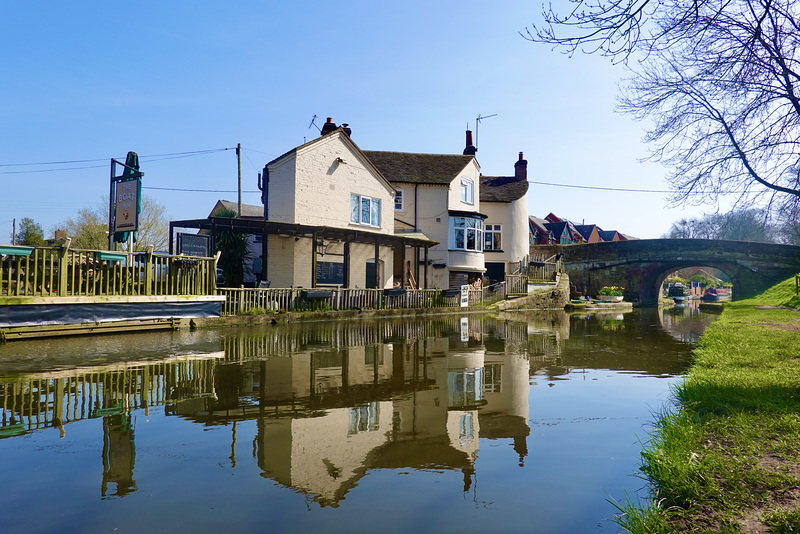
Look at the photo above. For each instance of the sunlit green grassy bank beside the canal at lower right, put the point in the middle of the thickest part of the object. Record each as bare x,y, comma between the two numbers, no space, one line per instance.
726,457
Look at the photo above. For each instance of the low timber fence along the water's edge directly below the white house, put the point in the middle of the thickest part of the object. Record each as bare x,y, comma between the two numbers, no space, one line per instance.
250,300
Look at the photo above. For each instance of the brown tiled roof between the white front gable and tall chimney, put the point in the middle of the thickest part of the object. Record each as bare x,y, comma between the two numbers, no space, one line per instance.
433,169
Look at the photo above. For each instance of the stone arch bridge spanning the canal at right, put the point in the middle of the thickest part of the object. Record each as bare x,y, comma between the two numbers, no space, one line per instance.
642,265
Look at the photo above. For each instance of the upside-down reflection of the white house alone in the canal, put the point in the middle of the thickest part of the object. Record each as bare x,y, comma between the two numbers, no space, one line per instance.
435,424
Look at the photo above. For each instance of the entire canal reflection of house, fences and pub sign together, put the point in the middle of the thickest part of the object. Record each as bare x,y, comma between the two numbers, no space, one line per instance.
324,417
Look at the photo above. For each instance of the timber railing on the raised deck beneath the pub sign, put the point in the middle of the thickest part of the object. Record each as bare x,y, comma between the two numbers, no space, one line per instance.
66,272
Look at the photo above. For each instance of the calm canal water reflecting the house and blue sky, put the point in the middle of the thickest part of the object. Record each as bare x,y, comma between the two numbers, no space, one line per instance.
518,422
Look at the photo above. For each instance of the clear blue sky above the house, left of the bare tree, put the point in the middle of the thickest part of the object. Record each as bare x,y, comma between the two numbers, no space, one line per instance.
93,80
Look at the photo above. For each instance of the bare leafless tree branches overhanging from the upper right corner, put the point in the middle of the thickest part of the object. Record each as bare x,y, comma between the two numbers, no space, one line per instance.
719,79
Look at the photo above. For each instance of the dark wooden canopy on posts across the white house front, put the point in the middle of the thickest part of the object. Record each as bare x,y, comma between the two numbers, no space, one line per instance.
265,228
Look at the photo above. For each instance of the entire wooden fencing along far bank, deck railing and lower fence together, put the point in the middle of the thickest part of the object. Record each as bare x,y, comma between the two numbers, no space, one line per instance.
66,272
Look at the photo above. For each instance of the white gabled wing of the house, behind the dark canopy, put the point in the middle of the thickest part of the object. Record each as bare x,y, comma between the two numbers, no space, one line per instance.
329,184
